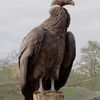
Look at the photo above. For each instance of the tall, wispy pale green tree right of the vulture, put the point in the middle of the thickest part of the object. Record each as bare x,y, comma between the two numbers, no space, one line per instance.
90,59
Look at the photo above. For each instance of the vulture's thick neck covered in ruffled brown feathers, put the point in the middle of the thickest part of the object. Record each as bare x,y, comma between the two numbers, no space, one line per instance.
56,23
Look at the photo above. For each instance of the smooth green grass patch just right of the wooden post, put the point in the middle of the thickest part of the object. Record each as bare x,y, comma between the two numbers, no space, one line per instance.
76,93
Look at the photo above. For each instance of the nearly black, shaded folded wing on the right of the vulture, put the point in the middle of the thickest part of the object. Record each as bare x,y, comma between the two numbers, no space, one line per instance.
69,56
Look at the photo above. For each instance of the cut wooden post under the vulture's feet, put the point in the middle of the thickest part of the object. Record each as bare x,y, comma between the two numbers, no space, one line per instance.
48,95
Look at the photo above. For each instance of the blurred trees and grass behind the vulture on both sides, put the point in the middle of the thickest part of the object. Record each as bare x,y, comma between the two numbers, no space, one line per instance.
83,83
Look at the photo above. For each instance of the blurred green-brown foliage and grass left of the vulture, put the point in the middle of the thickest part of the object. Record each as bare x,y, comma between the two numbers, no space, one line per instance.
9,87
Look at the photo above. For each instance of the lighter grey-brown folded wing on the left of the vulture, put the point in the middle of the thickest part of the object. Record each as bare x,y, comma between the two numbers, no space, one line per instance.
29,51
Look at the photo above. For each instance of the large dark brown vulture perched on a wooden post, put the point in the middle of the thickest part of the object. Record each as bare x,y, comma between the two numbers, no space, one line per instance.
47,53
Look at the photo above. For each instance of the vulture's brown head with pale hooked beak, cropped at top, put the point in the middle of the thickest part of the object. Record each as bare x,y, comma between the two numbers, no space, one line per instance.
63,2
